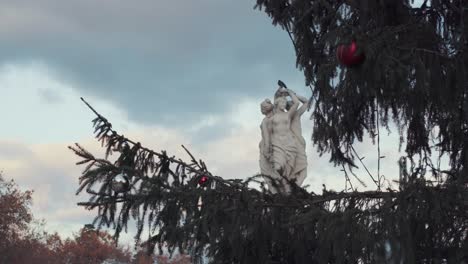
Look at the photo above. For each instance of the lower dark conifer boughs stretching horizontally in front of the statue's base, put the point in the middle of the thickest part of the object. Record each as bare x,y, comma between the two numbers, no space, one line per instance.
232,223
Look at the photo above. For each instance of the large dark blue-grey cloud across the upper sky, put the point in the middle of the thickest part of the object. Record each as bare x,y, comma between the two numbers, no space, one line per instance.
164,61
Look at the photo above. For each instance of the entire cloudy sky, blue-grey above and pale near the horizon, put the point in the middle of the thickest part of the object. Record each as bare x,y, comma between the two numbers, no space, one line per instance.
165,73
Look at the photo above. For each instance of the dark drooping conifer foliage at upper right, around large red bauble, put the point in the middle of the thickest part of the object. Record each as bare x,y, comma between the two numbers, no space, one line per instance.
415,72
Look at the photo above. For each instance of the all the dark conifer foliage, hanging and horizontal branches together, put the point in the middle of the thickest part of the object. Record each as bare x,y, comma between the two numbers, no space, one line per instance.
414,73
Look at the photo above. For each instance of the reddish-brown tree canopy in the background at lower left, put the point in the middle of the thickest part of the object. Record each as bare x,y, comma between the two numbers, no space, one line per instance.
23,239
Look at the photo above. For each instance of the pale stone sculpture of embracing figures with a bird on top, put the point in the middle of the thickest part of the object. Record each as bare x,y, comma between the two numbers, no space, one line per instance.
282,148
